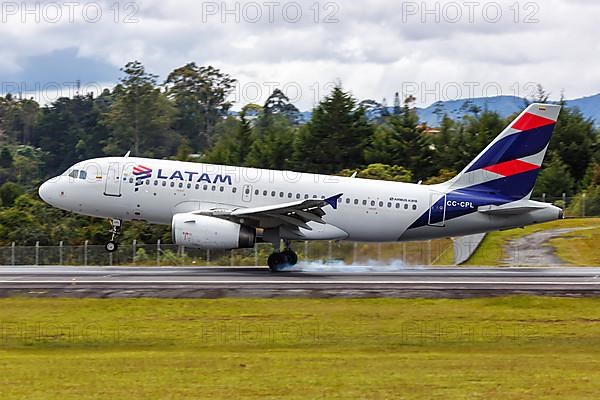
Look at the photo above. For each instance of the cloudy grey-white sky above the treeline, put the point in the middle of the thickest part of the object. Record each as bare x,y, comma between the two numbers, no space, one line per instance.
433,50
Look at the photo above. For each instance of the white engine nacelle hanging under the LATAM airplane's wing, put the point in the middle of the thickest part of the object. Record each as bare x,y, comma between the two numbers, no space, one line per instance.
202,232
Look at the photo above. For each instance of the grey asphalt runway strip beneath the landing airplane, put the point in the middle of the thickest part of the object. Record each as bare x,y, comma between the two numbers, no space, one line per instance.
336,281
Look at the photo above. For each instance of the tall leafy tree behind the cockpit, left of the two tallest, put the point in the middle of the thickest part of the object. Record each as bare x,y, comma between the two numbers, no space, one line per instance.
140,117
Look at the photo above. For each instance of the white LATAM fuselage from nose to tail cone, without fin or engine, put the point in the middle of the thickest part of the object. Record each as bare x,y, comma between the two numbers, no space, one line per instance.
368,210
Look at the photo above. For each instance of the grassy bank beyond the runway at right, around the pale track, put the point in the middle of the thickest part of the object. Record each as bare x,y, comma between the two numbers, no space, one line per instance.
491,250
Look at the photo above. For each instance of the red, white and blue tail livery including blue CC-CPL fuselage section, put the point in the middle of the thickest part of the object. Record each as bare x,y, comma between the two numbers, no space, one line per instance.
502,175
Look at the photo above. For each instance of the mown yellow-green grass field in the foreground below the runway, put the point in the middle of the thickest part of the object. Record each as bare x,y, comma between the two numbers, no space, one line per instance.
510,348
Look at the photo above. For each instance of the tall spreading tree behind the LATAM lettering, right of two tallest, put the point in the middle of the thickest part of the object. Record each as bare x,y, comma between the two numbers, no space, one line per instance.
200,99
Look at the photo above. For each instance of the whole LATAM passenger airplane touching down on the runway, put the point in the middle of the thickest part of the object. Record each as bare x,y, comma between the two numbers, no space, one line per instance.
227,207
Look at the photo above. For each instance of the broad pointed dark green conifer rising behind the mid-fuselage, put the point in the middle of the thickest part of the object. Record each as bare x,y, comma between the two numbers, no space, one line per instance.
335,137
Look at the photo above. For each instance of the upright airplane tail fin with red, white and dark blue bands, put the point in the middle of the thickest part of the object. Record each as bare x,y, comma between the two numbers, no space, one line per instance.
509,166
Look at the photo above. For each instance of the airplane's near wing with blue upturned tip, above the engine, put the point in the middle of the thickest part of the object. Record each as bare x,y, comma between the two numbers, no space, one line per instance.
296,214
